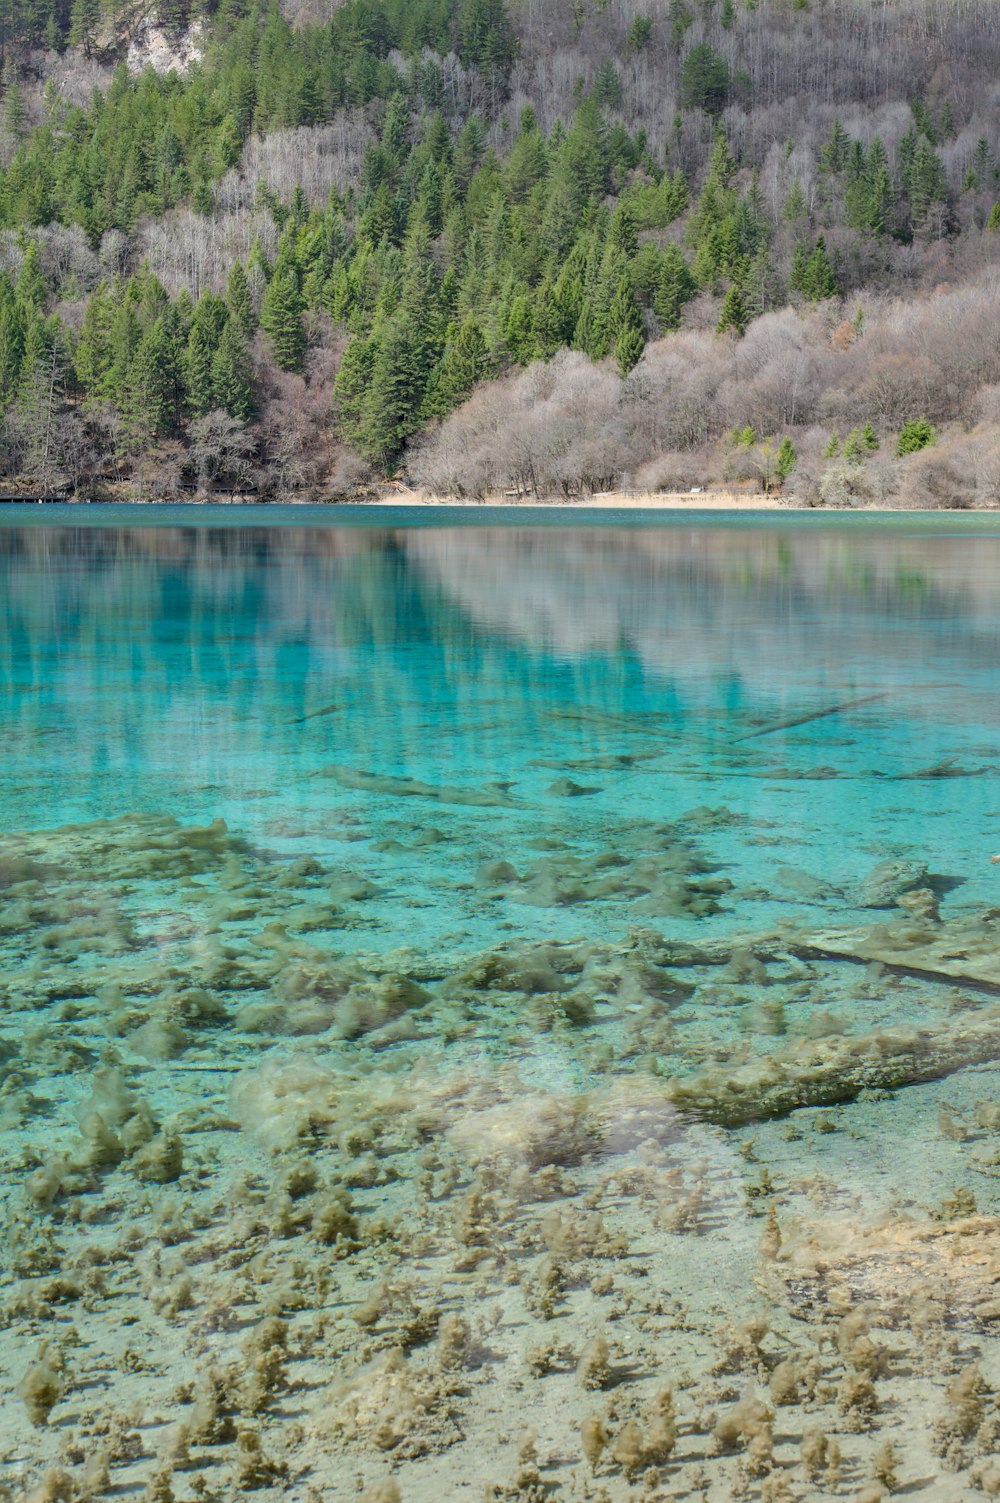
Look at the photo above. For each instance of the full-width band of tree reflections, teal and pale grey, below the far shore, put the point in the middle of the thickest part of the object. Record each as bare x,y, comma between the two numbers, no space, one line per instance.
229,635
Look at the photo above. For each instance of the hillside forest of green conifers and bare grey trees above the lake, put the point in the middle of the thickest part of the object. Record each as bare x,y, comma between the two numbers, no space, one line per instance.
491,247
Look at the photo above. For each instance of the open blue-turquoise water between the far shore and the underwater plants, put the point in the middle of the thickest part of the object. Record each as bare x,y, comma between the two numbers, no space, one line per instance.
225,673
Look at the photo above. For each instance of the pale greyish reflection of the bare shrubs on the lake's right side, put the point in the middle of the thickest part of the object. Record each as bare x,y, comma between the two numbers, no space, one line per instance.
694,602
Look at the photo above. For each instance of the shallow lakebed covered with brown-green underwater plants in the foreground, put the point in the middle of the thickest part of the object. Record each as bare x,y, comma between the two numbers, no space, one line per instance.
289,1214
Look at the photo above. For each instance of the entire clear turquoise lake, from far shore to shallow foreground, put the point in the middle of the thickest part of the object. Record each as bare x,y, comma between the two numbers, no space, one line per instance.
277,790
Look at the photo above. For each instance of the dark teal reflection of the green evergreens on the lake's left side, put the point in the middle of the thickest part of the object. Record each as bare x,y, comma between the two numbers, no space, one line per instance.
229,638
